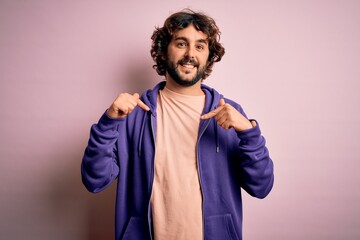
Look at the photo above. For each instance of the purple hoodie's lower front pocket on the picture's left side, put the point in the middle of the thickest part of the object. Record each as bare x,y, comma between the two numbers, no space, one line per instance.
136,229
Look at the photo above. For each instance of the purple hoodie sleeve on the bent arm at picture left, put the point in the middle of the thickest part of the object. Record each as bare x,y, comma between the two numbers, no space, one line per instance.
99,167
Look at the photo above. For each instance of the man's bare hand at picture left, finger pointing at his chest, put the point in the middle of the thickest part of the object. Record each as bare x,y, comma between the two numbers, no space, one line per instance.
124,104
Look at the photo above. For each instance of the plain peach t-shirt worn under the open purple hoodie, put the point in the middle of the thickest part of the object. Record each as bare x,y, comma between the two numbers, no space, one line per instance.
176,198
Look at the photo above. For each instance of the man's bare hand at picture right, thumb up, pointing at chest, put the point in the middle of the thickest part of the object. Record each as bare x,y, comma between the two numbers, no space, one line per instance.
228,117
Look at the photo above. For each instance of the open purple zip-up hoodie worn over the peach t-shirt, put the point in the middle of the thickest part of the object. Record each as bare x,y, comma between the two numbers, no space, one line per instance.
124,149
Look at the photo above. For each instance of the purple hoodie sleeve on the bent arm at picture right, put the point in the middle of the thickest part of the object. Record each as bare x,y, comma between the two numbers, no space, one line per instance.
257,176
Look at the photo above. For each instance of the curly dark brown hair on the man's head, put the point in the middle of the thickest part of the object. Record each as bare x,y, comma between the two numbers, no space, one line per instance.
180,20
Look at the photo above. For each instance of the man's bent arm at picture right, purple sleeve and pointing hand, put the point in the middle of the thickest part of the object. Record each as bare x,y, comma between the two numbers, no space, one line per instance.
257,168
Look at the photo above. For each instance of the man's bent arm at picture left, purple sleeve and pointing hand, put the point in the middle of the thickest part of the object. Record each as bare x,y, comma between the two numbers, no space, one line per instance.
99,165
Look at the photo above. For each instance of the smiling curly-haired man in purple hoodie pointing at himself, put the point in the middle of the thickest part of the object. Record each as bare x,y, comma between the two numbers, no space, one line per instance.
182,152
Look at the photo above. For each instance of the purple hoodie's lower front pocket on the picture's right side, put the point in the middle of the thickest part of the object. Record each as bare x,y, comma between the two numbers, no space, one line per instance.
220,227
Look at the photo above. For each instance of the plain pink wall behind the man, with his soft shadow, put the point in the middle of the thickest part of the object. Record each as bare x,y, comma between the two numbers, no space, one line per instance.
293,65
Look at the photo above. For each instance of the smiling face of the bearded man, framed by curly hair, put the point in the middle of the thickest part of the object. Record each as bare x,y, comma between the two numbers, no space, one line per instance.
187,56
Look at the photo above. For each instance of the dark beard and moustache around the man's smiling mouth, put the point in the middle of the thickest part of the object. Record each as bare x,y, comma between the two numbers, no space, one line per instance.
173,71
